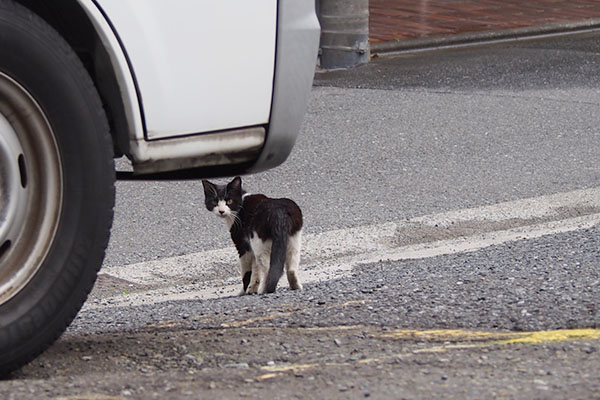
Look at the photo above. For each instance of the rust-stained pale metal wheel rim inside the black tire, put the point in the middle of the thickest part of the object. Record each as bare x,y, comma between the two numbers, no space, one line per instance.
31,183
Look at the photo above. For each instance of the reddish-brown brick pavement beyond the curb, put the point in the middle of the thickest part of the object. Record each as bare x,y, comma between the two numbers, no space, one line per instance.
408,19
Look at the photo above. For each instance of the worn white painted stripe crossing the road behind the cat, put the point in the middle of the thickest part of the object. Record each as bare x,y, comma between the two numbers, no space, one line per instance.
334,253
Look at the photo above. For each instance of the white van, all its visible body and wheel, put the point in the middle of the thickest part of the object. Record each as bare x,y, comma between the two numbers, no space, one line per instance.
199,87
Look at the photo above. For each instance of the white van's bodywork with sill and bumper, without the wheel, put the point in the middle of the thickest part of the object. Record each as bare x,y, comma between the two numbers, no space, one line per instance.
260,81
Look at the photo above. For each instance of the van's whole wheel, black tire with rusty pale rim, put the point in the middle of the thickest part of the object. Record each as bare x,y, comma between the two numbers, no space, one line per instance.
56,185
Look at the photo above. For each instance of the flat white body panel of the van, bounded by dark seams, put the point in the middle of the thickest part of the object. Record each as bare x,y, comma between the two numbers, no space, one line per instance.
199,65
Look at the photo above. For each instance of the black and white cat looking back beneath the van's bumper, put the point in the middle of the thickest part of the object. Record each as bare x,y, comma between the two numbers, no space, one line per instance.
267,234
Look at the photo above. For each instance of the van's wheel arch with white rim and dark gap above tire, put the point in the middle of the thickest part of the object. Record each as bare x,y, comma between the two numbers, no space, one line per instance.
86,30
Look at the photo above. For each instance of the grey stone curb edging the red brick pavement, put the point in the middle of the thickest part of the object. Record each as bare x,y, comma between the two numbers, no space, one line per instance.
474,38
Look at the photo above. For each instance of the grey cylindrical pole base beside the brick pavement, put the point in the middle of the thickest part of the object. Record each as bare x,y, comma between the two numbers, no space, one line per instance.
344,32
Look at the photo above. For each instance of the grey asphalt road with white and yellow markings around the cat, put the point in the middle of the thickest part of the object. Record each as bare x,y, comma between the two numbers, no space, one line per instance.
452,249
